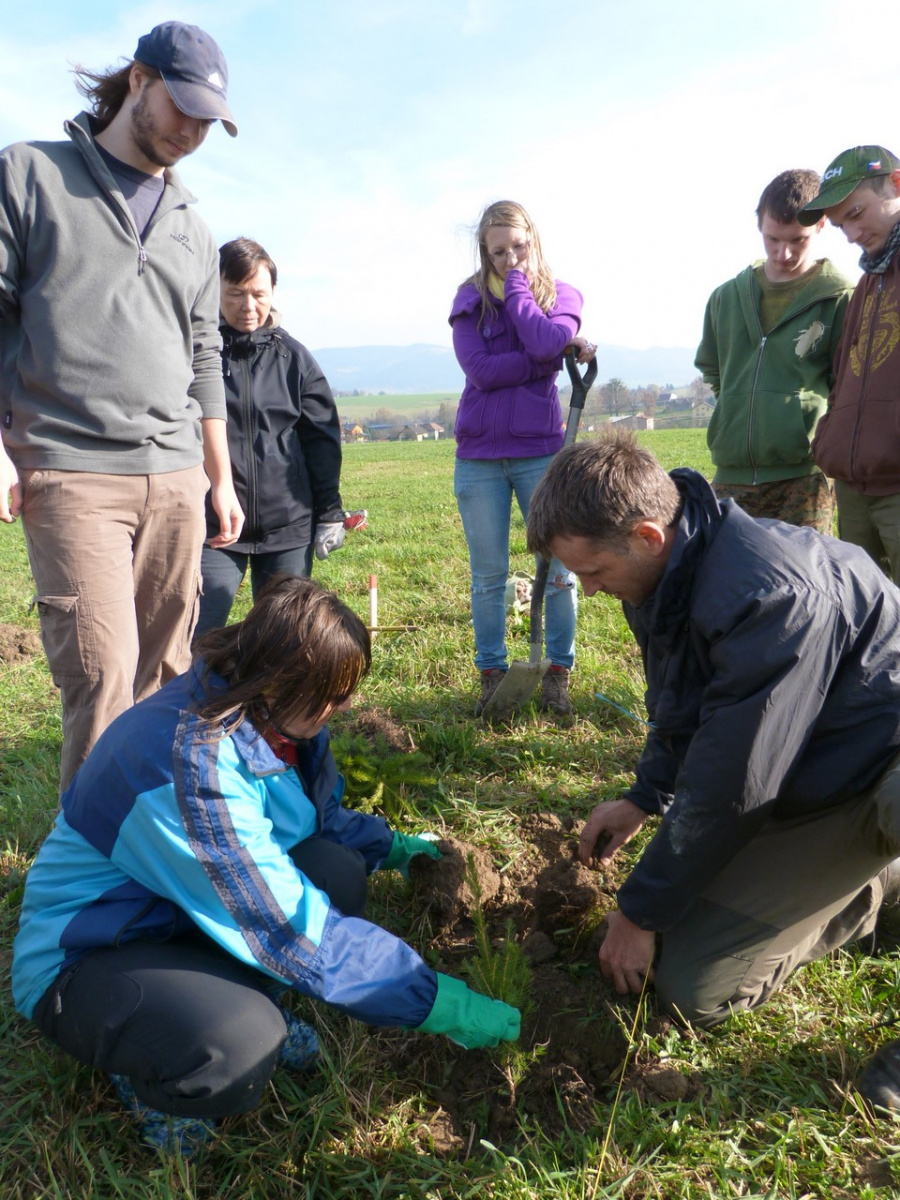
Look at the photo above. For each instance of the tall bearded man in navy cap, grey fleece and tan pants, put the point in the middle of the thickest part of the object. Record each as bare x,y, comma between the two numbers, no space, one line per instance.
111,379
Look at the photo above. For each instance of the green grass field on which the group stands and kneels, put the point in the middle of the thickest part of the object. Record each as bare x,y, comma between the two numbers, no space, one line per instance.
770,1112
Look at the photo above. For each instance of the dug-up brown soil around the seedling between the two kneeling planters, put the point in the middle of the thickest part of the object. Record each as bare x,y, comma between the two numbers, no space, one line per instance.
572,1046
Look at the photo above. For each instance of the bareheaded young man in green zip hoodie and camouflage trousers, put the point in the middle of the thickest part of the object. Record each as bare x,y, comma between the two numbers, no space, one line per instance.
769,347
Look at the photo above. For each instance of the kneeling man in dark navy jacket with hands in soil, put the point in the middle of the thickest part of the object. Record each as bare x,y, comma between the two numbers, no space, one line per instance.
773,689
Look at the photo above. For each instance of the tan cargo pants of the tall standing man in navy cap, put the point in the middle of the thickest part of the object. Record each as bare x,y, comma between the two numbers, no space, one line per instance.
116,561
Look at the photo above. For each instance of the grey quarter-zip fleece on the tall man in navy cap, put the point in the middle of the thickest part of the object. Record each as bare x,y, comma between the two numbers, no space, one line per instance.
110,346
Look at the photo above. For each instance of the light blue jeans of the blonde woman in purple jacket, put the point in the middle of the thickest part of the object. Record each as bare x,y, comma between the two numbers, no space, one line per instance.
484,493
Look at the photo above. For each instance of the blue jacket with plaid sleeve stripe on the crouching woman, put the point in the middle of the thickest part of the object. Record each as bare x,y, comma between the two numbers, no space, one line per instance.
164,829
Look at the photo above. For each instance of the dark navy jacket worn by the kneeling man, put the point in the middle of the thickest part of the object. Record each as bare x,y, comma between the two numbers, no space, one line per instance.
772,657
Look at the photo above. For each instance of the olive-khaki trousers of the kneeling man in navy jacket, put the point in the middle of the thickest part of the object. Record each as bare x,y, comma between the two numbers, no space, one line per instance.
800,890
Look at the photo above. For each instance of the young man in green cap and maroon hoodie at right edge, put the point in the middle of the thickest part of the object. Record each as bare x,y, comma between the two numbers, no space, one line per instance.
859,440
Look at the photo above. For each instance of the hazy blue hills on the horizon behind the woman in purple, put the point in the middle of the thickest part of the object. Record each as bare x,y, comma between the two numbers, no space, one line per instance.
429,369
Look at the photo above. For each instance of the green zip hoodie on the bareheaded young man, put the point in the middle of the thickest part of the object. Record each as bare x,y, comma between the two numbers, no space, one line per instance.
771,389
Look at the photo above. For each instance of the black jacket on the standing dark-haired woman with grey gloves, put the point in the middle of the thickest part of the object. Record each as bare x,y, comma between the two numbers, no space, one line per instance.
284,437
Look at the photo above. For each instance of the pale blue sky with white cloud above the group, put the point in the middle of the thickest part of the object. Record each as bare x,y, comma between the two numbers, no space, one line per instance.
638,135
